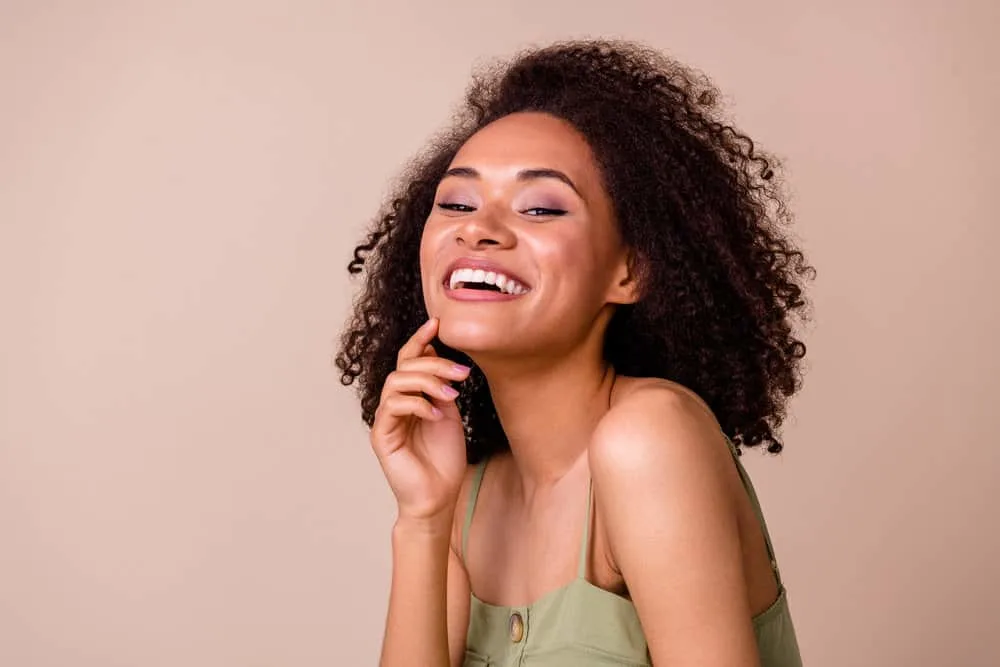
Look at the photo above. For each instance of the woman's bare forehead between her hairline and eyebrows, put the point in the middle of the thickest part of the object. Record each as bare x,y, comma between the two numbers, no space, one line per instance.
530,140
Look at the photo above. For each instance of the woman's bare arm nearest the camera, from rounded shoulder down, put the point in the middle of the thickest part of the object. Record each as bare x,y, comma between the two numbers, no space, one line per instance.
661,474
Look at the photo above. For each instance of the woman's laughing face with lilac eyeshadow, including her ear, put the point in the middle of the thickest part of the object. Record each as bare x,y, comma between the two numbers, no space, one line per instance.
521,253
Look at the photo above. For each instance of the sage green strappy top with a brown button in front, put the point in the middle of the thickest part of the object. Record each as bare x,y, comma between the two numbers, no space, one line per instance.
583,625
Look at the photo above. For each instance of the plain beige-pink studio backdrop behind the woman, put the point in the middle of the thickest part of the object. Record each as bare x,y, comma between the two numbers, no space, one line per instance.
184,482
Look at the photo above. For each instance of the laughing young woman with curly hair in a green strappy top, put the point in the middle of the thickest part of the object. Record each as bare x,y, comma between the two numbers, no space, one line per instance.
576,310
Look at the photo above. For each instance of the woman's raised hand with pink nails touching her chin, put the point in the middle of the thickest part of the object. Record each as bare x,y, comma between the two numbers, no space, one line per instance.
417,434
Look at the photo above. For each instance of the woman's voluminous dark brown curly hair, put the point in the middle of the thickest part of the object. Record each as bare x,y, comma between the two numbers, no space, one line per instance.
698,206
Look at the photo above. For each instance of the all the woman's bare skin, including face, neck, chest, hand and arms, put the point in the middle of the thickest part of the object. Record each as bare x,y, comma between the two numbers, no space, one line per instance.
673,528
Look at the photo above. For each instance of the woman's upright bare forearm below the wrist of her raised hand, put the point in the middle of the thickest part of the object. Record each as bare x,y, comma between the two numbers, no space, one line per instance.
416,628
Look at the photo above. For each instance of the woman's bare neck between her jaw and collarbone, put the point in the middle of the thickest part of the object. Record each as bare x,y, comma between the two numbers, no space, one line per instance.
549,409
